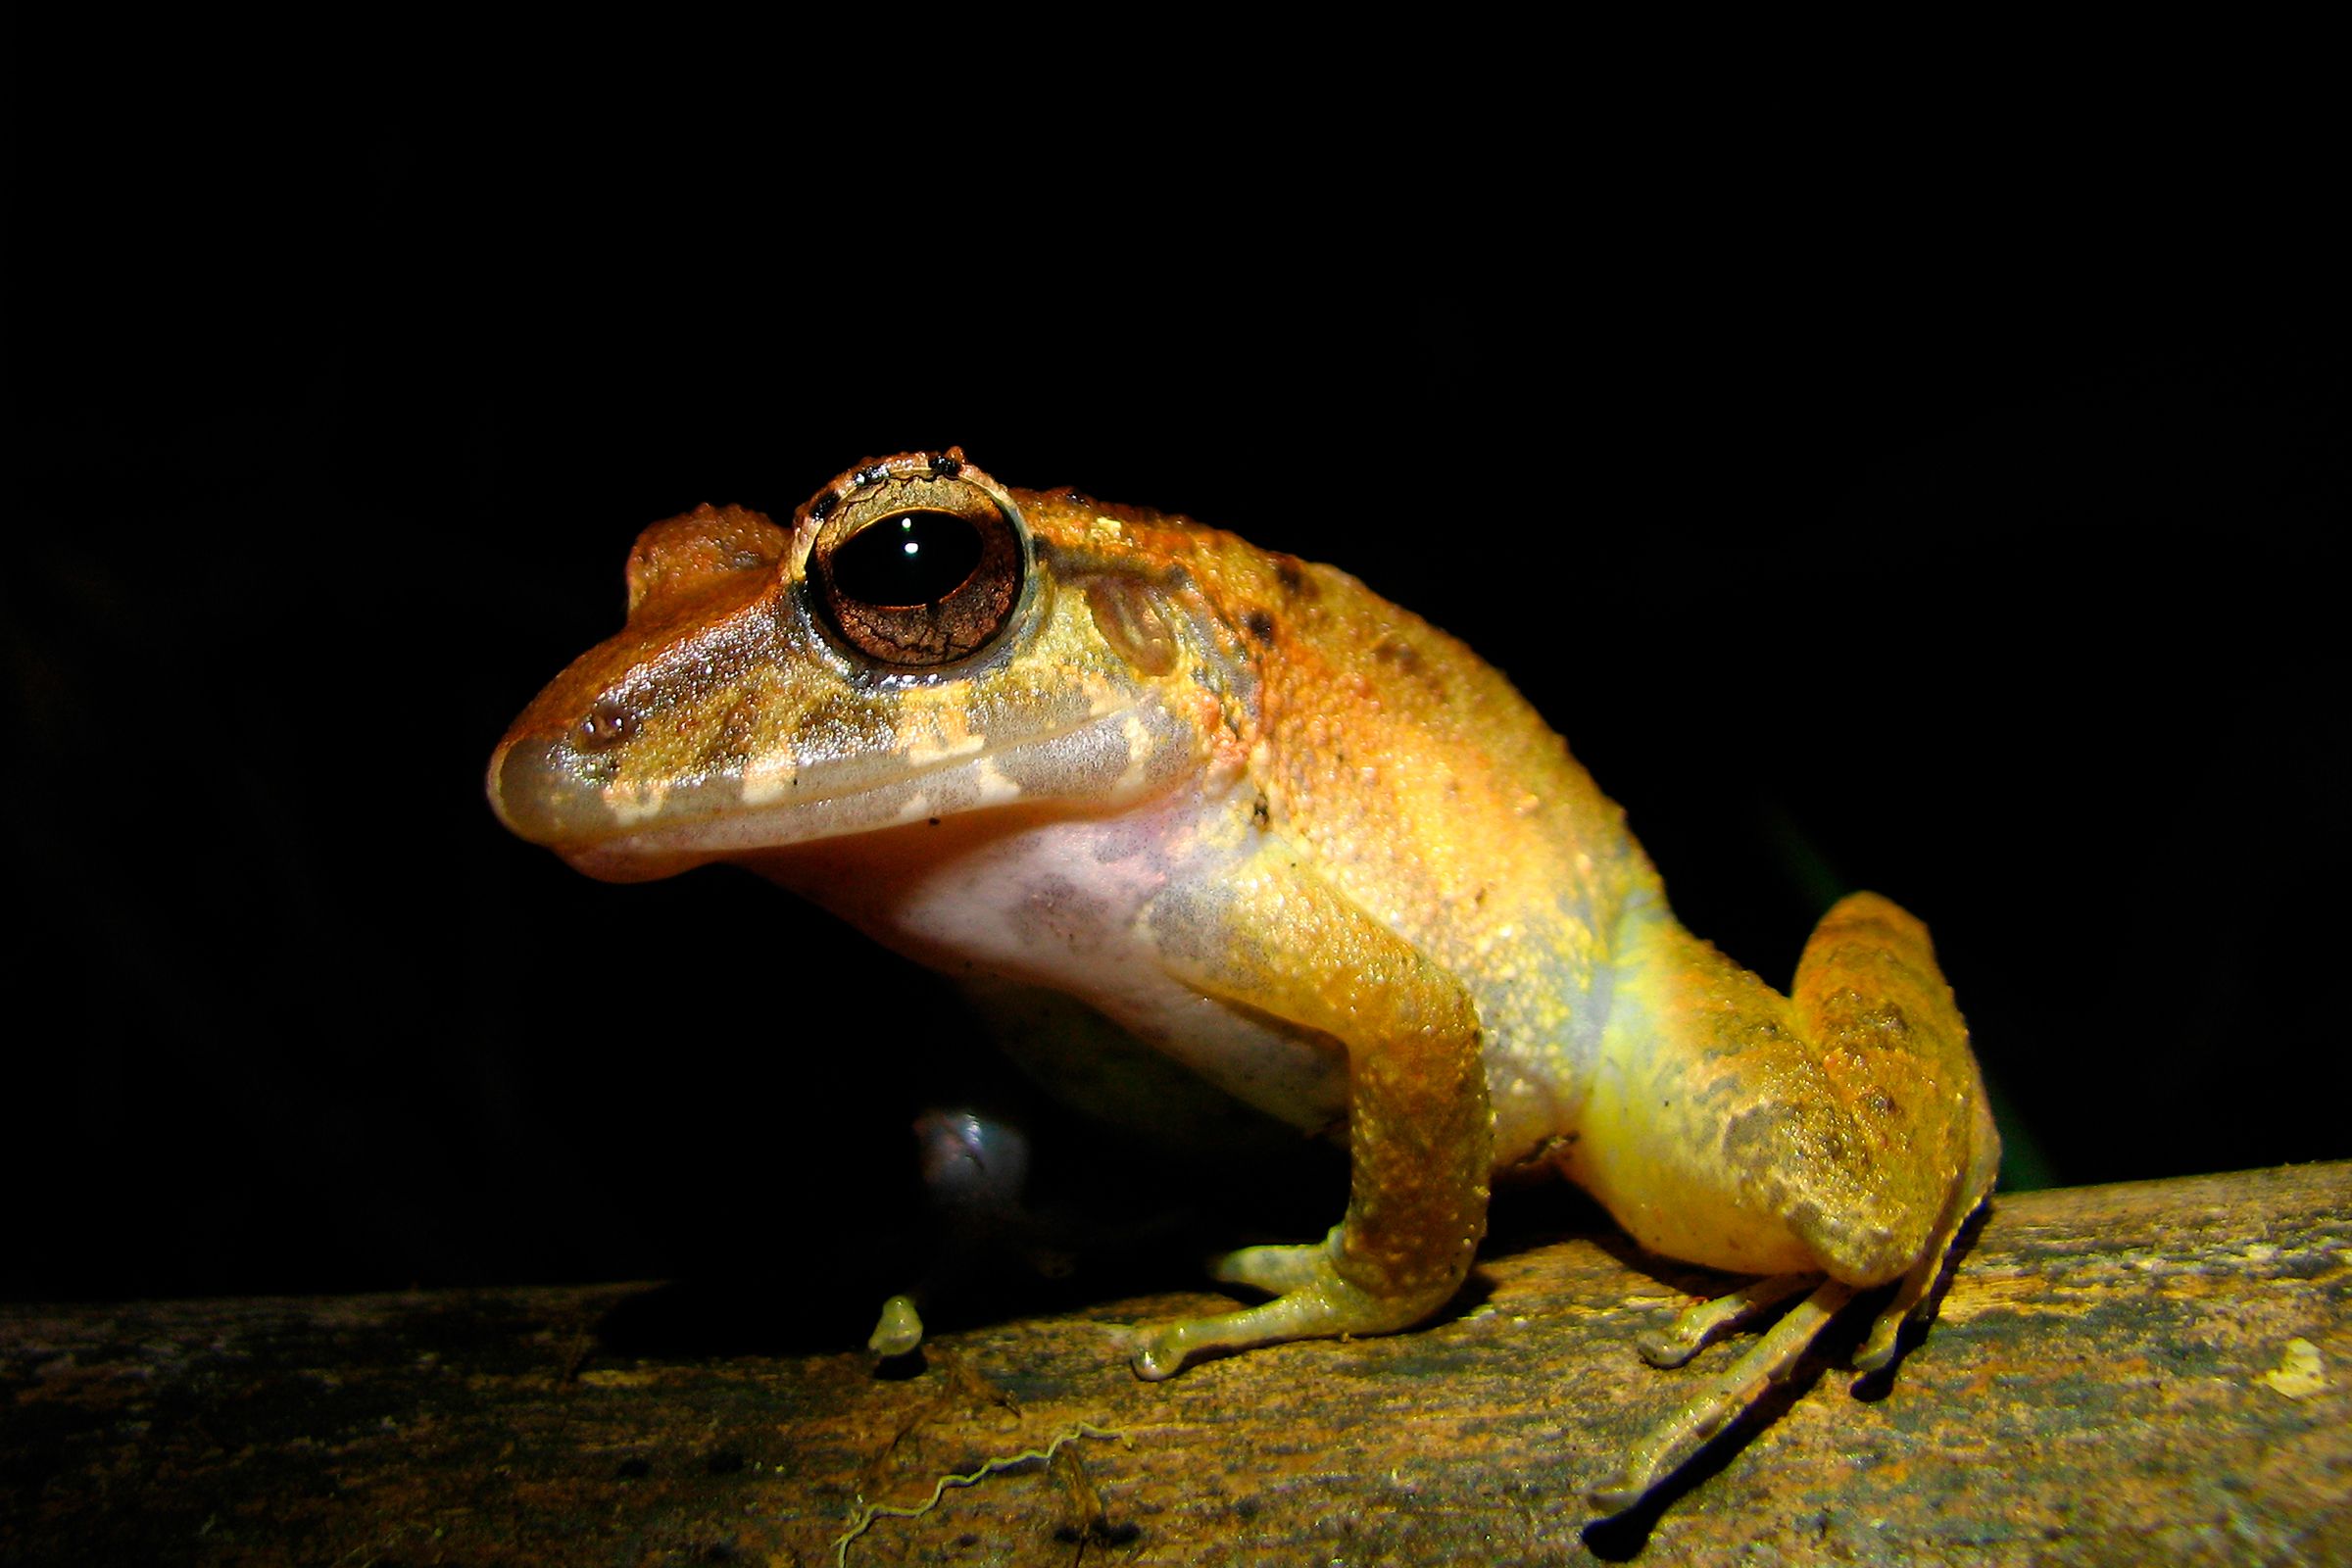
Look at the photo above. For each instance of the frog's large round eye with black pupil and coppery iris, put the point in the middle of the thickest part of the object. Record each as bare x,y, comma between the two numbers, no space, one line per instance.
918,572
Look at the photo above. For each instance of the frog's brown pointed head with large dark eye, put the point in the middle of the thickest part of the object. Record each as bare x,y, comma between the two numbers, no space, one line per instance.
918,645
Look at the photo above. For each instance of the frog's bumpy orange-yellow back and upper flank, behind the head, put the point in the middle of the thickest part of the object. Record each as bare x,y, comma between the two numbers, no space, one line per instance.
1429,791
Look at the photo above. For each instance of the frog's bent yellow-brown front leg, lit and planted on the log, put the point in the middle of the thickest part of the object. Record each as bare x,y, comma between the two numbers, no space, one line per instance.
1278,939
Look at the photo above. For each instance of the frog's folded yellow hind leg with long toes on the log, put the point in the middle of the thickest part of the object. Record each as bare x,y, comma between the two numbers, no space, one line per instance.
1829,1141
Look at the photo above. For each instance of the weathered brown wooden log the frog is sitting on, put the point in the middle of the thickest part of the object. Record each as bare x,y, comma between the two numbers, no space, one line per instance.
2118,1374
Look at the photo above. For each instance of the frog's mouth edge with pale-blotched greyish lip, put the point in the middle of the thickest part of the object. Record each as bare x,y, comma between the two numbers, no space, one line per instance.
629,831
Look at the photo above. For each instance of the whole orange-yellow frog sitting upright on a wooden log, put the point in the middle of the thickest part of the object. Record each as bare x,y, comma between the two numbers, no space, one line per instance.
1245,817
